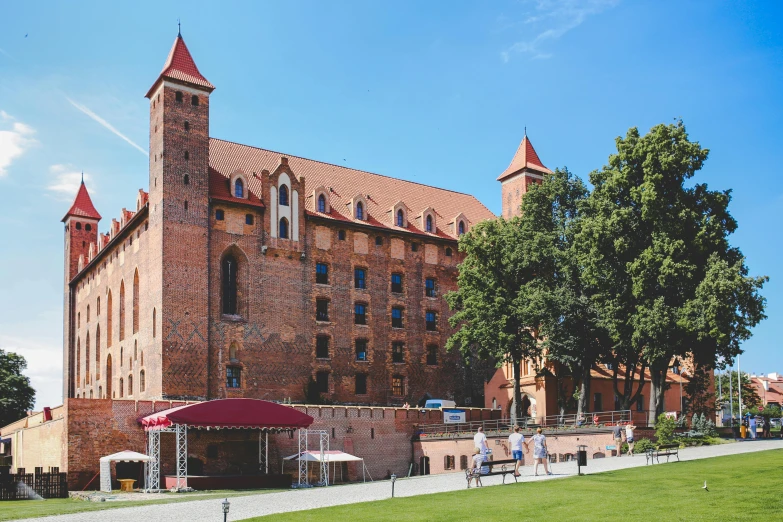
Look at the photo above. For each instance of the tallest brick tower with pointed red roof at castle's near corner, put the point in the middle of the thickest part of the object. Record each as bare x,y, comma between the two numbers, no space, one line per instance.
179,219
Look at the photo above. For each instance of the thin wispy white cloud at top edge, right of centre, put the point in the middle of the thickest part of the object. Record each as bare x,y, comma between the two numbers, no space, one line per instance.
551,19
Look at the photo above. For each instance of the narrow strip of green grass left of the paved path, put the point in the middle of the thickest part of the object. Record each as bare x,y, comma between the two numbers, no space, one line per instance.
16,509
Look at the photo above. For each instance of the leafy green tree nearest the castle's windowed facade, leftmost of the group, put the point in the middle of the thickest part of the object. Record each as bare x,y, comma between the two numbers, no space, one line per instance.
498,306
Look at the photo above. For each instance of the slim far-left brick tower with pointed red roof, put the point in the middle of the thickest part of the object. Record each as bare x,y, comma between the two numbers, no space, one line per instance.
81,230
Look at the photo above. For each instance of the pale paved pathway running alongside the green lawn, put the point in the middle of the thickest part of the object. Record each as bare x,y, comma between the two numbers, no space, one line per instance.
296,500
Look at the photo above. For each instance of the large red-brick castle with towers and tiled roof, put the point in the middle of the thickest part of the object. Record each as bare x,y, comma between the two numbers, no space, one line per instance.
245,272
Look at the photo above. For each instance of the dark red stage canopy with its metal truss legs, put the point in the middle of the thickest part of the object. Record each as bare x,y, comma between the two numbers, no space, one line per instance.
217,414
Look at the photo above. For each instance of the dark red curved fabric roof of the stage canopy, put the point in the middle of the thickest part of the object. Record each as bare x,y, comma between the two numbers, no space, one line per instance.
230,413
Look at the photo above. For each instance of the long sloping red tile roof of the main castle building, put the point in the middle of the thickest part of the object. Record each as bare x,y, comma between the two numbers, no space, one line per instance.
342,183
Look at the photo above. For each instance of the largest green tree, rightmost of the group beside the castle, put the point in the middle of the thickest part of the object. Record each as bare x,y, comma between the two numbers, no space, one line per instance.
656,249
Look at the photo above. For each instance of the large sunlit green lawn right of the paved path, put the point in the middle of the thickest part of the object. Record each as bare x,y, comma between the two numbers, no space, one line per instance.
741,487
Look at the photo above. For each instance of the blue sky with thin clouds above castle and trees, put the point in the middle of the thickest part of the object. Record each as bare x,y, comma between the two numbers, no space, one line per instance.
435,92
